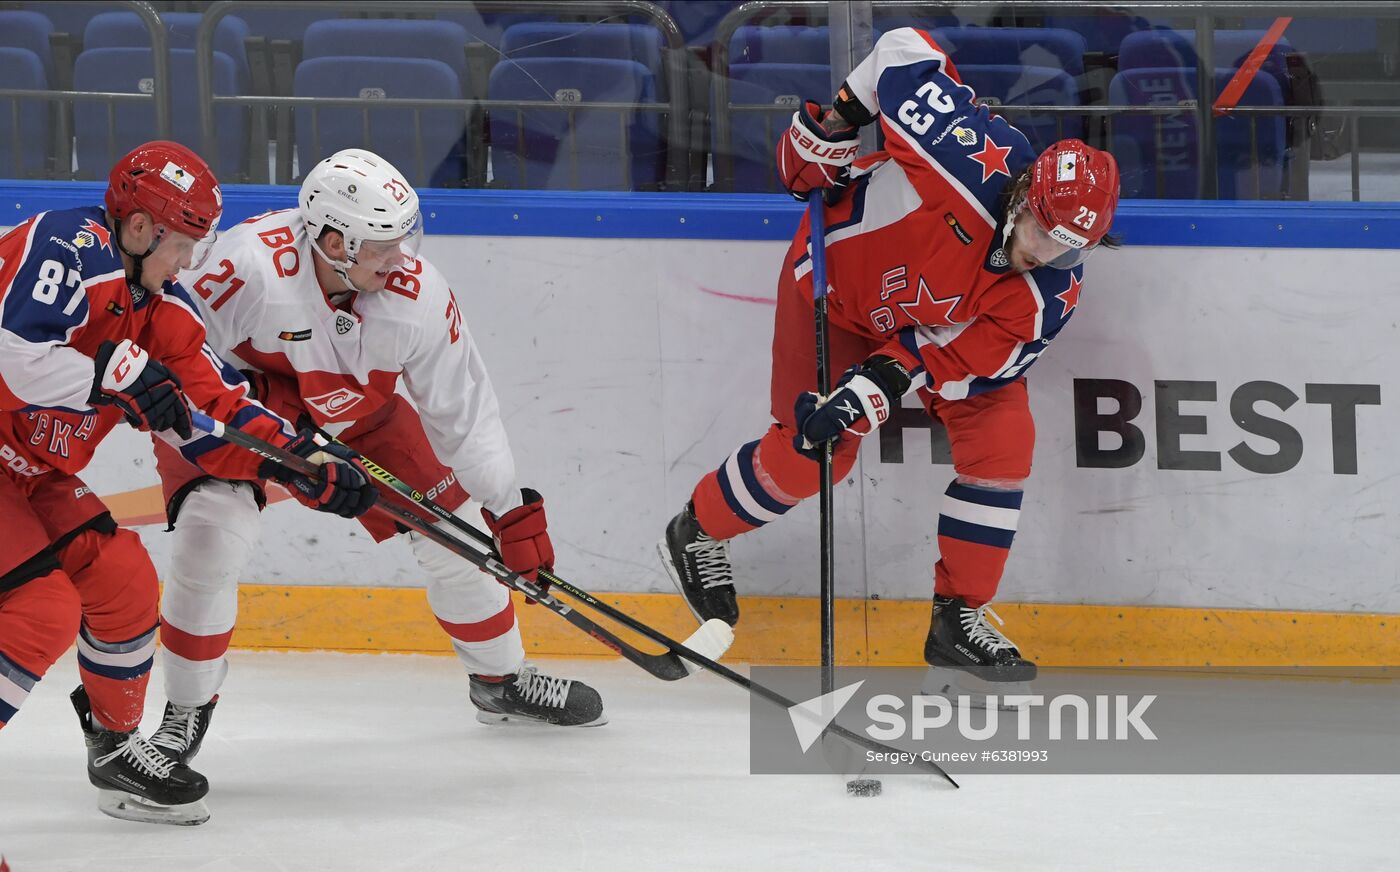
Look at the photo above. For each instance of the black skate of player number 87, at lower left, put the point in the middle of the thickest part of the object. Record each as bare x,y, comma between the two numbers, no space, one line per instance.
135,780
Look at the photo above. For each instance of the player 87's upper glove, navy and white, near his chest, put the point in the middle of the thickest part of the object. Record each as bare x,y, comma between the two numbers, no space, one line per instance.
146,393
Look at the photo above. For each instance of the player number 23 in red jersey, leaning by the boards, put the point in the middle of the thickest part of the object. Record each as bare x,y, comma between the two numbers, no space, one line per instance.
954,261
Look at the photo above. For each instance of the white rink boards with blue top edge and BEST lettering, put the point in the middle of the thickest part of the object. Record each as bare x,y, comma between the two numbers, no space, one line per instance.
1213,426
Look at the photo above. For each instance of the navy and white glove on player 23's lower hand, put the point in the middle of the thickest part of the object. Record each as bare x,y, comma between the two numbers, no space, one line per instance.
862,402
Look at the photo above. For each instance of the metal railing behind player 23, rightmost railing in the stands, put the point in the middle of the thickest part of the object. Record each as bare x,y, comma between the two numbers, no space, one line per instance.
1205,15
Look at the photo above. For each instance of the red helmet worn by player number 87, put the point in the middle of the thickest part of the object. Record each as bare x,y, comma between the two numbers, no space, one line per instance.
169,183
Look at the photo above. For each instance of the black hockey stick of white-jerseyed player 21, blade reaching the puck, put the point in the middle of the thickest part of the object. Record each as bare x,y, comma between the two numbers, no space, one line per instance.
632,624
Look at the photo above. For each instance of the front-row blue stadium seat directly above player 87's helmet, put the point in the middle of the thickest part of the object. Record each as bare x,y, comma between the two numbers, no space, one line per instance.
132,72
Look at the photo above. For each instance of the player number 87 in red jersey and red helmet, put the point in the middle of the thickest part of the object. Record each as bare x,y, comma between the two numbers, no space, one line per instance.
93,332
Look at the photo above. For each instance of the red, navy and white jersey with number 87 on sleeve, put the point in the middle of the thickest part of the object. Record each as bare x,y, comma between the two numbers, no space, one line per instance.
64,292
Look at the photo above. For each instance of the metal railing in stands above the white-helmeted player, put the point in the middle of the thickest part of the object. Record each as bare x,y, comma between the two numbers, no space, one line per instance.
675,108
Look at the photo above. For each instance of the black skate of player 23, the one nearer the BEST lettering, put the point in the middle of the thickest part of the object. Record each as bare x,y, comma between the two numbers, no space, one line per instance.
971,659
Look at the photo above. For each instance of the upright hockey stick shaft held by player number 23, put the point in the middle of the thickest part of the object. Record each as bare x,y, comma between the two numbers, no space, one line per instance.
817,227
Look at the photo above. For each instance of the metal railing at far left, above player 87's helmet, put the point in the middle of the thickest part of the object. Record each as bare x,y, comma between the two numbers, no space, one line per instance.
61,125
